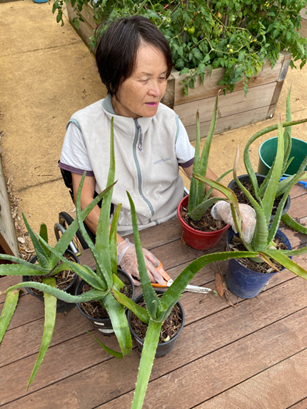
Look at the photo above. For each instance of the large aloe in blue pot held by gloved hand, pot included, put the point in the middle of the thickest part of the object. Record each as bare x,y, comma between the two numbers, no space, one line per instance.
241,280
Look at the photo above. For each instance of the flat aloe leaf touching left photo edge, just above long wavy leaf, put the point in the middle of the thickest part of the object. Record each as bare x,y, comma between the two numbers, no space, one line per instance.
22,269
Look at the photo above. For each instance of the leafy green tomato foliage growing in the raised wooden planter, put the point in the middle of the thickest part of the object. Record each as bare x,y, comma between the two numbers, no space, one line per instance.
236,35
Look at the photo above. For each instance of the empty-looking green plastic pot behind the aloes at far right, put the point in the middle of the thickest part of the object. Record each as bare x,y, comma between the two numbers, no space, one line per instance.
267,154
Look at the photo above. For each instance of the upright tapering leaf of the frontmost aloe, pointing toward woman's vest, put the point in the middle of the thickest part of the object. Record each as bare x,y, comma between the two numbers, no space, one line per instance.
150,297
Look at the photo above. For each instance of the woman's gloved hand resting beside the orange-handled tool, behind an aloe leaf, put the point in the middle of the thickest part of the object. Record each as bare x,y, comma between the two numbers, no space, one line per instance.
126,259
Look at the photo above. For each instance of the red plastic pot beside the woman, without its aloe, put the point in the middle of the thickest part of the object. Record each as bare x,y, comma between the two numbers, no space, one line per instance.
199,240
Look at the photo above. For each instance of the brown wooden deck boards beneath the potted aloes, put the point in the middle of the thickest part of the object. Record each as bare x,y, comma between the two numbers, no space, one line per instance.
232,354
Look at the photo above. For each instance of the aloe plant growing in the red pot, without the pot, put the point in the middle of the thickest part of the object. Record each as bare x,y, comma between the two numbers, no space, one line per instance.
199,199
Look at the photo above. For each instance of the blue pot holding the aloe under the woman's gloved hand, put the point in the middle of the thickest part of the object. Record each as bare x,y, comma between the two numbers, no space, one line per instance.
246,283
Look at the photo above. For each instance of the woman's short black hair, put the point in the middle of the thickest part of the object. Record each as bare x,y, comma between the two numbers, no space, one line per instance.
117,49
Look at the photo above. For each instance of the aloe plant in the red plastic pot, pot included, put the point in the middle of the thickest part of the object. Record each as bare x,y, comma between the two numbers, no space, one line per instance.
196,232
